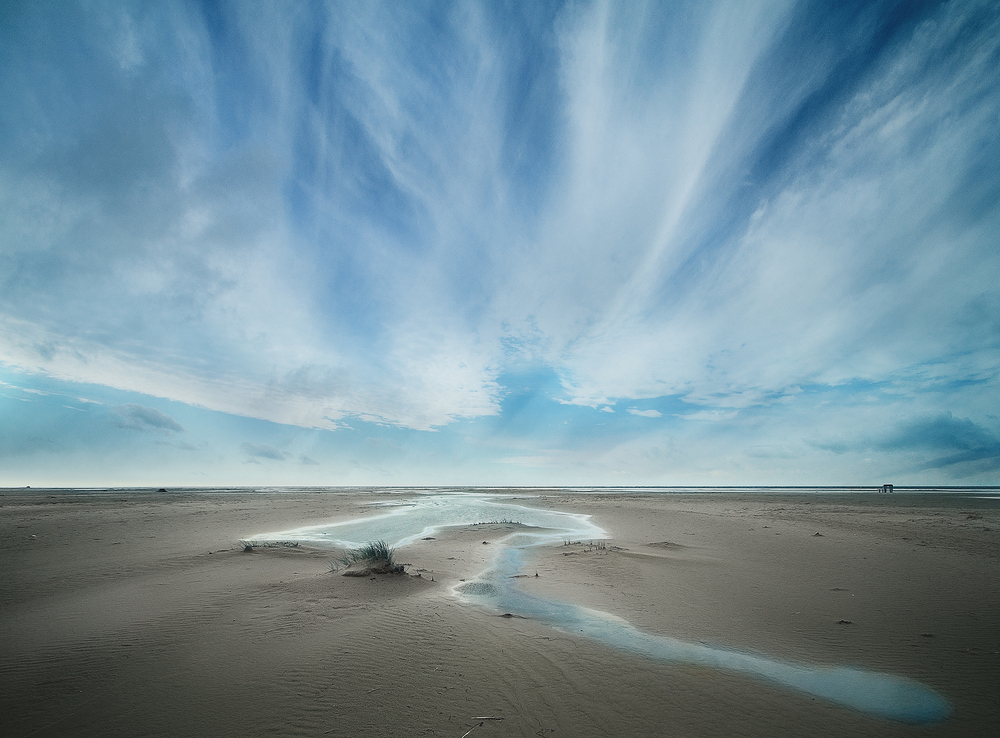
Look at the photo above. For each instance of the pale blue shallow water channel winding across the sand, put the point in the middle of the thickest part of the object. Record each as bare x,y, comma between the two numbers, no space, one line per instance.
401,523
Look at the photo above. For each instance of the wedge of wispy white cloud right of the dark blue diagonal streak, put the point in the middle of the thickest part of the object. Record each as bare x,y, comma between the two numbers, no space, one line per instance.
862,266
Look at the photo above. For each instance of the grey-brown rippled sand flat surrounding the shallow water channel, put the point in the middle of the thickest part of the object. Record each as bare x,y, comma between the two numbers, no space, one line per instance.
138,614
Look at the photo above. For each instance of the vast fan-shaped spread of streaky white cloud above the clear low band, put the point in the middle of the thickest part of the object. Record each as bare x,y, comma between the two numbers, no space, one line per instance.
358,245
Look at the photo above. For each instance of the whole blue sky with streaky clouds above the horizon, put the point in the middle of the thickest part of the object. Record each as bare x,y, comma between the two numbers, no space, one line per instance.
499,243
